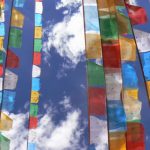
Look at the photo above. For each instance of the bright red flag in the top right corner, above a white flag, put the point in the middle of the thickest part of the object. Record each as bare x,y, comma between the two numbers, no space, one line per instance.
137,14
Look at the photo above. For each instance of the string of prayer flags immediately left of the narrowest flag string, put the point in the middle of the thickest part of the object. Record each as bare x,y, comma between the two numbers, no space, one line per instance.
11,62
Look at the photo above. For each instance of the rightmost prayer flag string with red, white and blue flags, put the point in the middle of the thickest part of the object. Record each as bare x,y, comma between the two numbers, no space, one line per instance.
138,16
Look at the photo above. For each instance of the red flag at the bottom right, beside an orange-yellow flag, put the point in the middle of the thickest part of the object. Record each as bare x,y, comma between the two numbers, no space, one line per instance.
135,136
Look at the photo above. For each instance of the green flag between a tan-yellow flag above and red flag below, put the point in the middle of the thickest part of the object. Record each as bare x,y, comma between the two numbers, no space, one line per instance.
95,74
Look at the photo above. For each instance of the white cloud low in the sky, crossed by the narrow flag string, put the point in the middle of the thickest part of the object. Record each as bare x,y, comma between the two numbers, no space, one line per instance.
64,135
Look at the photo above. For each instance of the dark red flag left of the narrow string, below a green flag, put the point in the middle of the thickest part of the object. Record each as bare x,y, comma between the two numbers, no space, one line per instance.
12,60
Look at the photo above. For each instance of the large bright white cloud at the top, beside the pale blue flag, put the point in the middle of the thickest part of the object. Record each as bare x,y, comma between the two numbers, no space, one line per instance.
67,36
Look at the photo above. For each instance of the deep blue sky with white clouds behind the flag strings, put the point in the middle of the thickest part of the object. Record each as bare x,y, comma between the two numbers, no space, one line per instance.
63,103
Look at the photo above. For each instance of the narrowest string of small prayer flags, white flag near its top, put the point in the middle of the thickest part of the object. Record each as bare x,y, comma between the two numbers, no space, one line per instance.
36,72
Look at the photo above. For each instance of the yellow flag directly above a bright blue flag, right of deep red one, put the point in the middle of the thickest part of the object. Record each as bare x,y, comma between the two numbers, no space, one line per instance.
128,49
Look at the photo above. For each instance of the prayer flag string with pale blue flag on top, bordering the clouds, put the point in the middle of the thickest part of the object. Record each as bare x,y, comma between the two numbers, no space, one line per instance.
96,81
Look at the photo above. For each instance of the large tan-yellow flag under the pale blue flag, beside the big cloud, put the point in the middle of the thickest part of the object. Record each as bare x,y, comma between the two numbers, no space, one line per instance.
93,46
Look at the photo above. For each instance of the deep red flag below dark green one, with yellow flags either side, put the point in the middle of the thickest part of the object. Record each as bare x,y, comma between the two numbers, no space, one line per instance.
111,55
